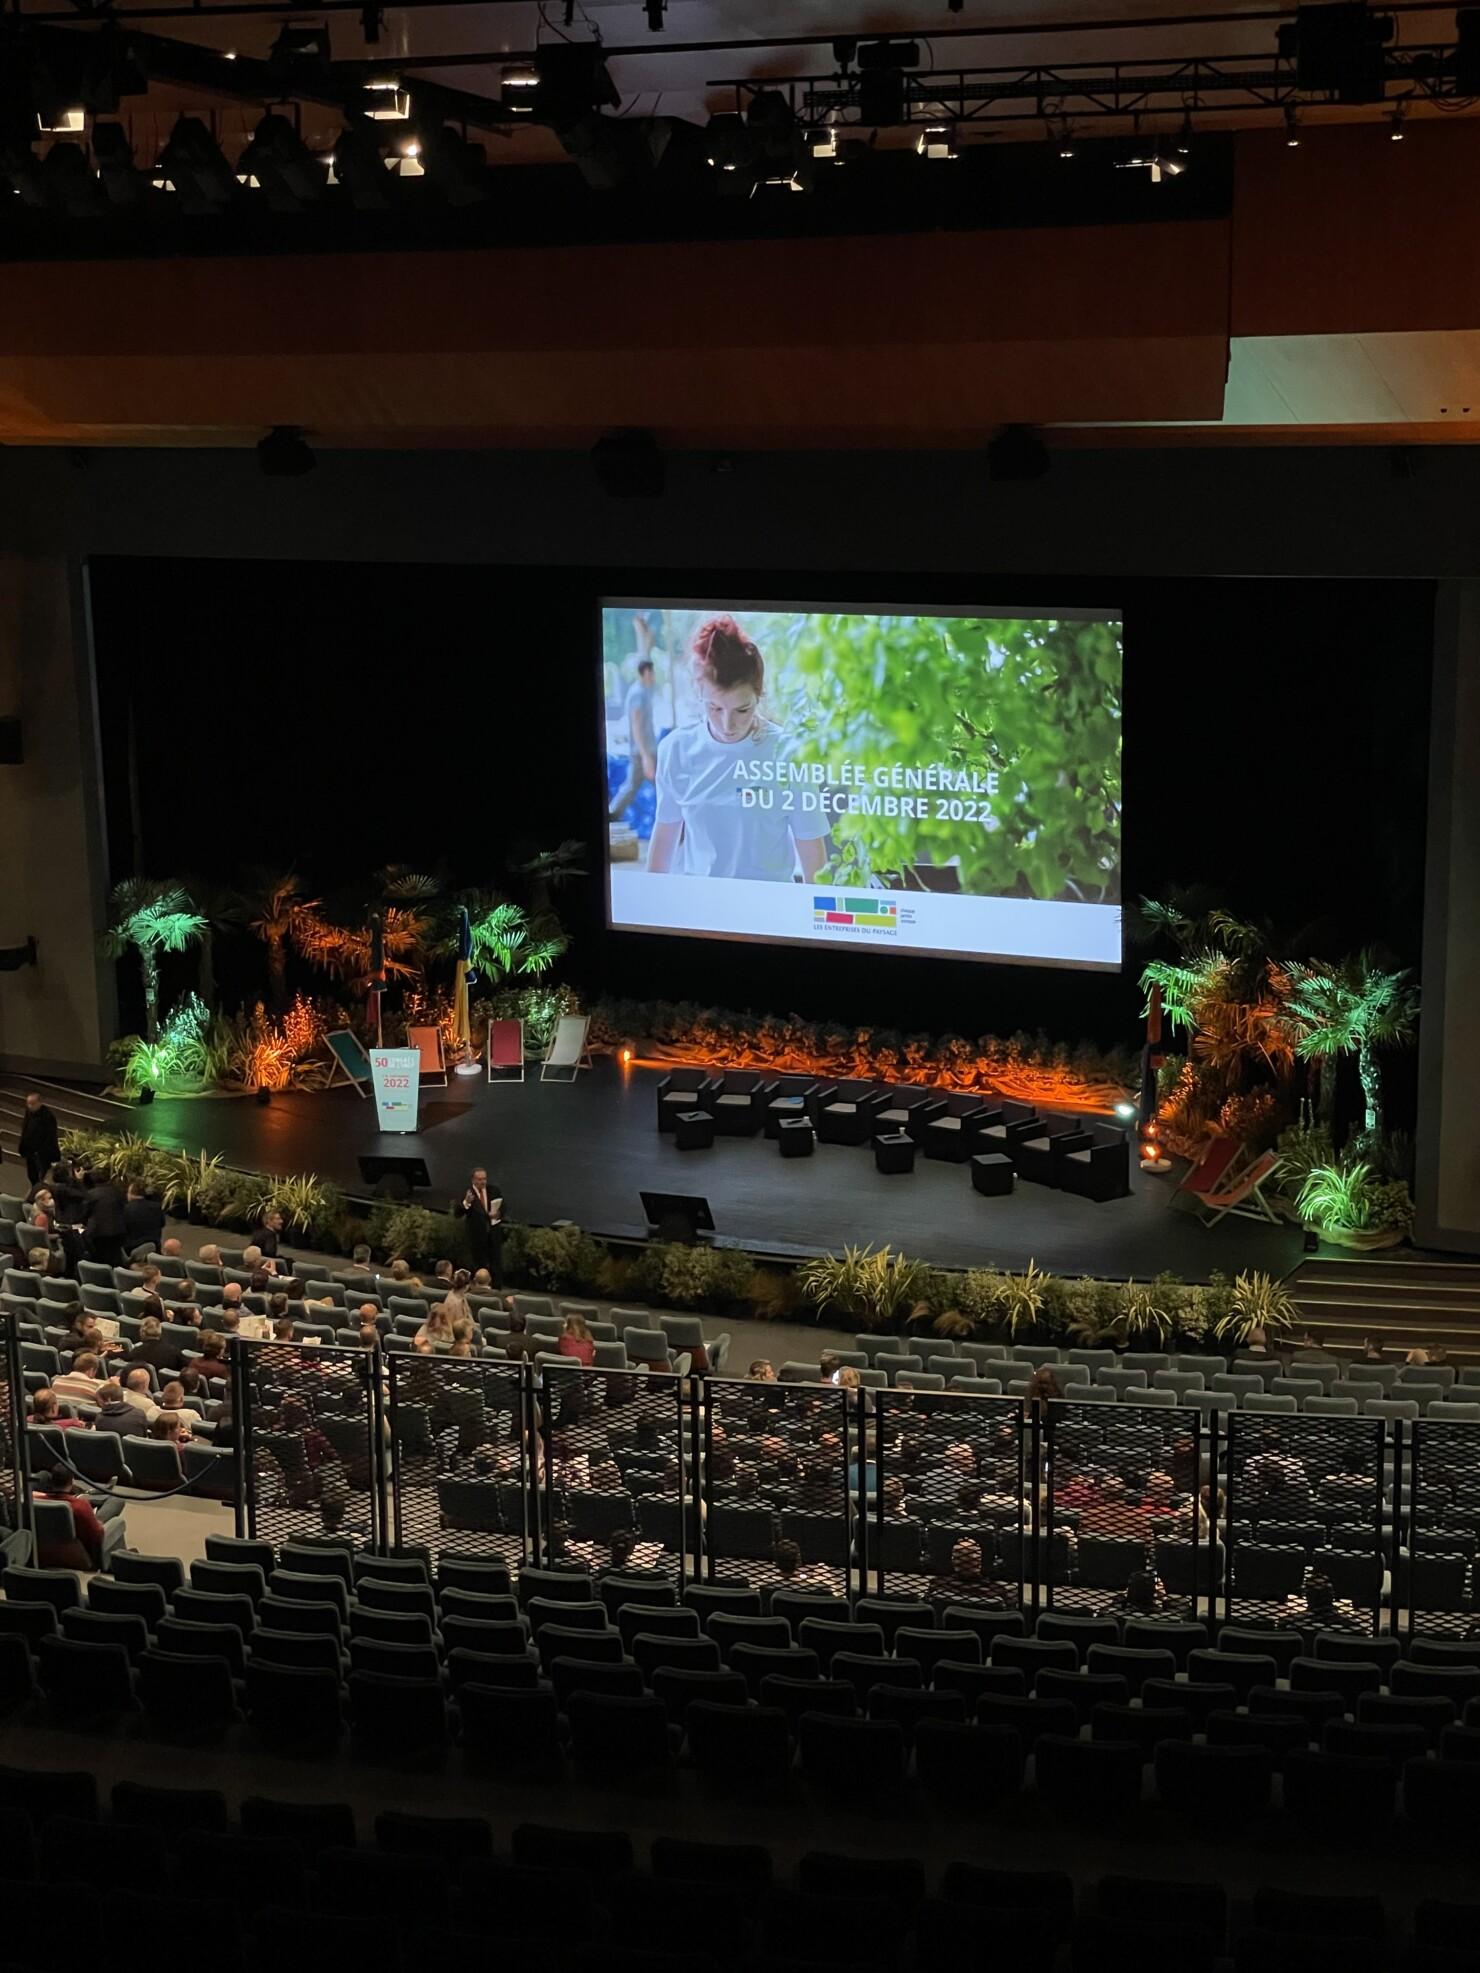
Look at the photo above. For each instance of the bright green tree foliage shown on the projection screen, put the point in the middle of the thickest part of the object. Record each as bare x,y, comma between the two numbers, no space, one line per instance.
1035,701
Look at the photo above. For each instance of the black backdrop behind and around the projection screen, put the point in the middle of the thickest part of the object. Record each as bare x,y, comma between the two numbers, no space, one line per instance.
338,717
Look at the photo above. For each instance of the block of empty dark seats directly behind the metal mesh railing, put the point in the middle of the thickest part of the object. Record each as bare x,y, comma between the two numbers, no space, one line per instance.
629,1684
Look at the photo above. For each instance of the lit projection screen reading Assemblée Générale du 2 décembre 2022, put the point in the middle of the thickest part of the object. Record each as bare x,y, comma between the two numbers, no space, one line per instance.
928,784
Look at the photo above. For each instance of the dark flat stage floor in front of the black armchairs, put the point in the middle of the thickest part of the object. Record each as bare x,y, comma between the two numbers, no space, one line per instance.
585,1151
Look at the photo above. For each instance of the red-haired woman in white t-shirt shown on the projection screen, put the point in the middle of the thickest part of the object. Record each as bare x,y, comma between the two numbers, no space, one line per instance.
703,826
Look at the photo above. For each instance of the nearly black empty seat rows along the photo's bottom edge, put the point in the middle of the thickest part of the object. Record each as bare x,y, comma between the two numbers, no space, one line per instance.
291,1879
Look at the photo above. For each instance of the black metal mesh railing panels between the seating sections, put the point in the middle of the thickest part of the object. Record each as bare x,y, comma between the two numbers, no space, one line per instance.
1250,1518
